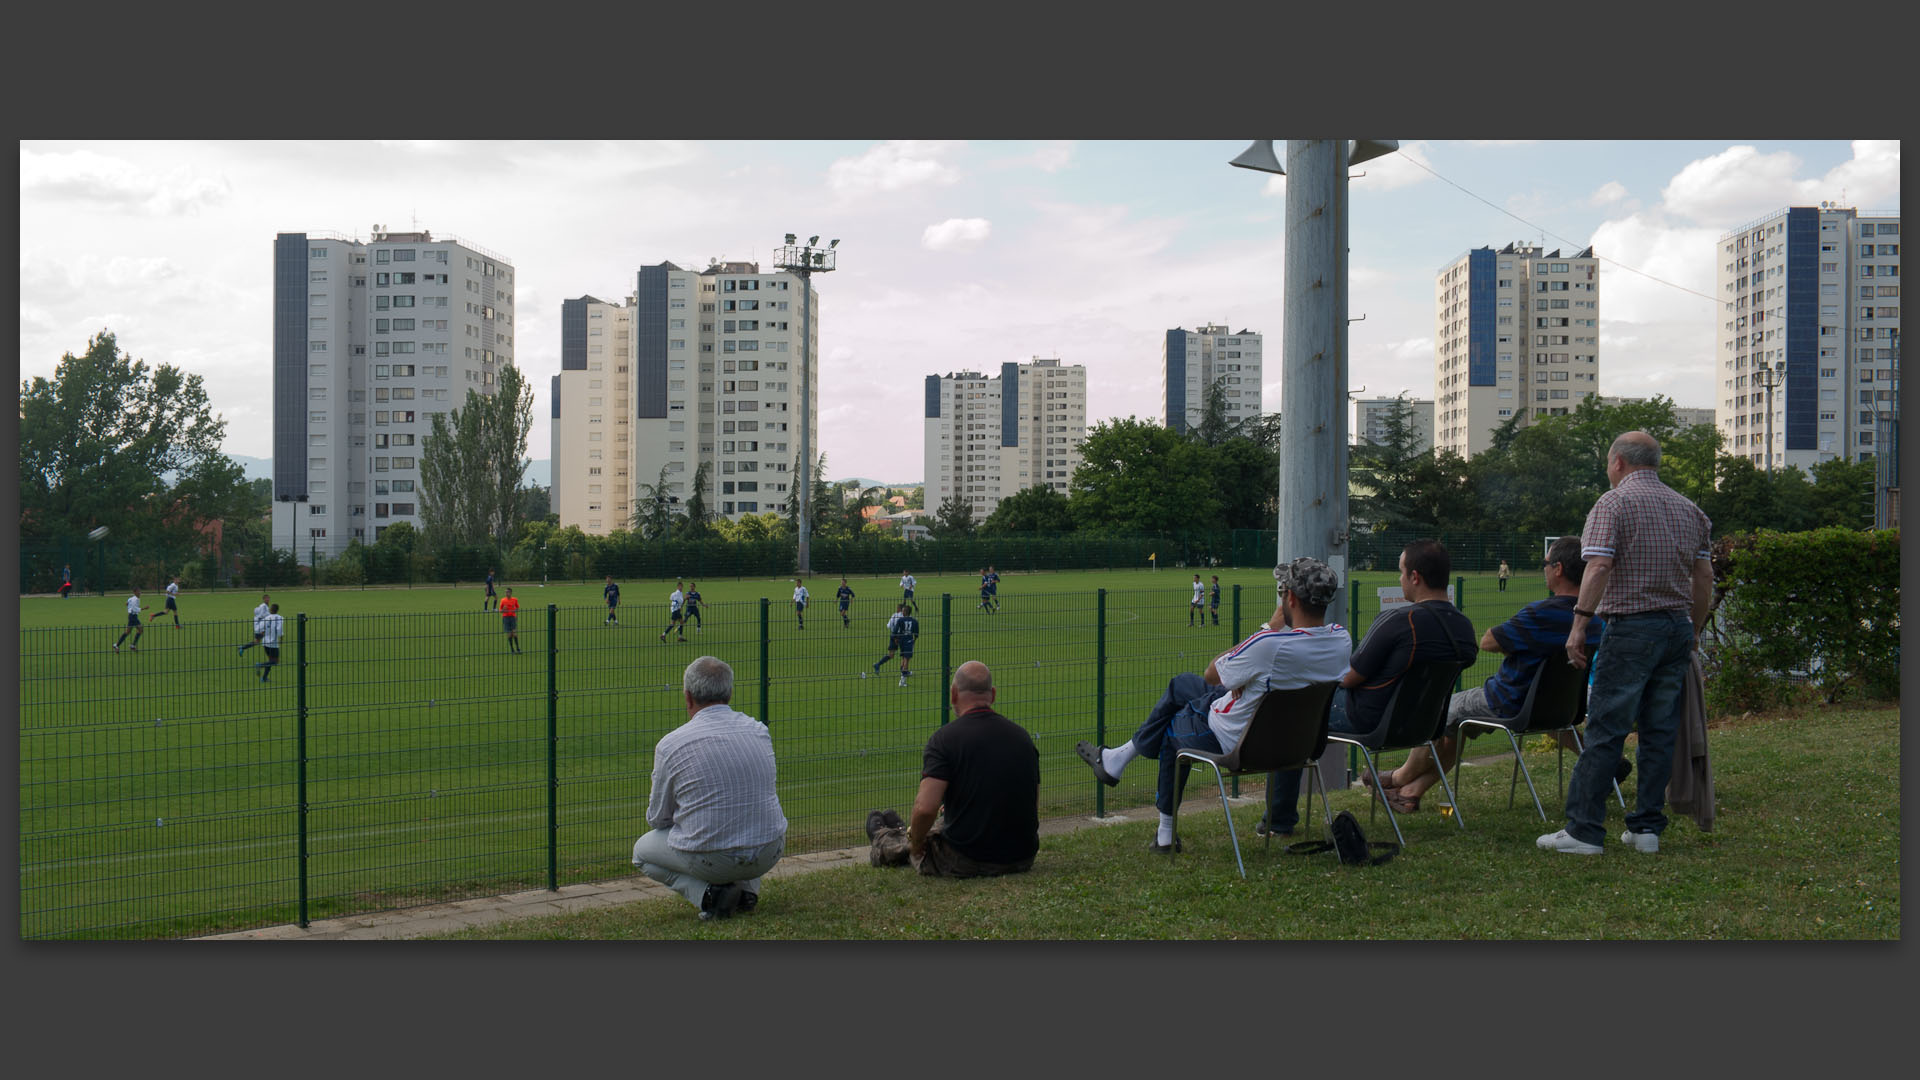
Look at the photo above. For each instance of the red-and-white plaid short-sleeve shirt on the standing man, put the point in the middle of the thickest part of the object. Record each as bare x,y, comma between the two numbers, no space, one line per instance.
1654,535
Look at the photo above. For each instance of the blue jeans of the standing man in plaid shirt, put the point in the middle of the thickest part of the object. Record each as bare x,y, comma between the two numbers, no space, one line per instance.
1639,675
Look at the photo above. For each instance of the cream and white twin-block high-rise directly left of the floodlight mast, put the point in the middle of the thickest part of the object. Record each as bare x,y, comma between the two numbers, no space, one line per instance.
698,370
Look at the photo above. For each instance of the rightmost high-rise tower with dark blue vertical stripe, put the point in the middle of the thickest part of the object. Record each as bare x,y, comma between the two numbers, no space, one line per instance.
1812,293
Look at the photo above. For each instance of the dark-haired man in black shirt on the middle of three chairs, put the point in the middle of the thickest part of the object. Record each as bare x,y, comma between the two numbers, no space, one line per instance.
1426,629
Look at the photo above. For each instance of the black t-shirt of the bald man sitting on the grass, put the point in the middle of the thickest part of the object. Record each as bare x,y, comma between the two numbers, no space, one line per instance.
994,787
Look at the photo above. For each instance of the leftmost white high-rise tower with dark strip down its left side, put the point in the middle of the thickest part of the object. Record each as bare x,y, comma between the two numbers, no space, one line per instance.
370,339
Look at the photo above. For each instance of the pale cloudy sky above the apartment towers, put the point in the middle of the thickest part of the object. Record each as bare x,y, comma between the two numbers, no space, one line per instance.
953,255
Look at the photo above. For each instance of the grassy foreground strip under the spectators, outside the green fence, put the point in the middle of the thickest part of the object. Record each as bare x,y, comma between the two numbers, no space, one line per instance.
1806,847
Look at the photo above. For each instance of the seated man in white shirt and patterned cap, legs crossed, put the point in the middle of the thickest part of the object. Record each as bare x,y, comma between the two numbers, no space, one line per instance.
1295,649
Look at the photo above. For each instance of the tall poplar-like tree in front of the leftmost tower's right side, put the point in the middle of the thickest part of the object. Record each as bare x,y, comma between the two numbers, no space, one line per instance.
473,462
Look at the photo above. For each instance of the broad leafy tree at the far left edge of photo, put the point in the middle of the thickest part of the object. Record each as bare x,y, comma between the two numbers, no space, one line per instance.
110,441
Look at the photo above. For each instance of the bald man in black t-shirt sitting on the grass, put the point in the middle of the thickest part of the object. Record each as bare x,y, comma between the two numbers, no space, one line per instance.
984,772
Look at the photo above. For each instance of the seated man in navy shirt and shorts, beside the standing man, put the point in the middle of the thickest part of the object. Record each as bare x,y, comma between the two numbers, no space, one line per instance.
1535,635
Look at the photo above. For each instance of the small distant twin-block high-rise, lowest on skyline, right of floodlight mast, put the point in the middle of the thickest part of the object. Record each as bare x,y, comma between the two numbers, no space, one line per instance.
990,437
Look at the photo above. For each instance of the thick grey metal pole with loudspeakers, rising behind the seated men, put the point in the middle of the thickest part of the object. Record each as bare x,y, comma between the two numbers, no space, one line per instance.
1314,372
